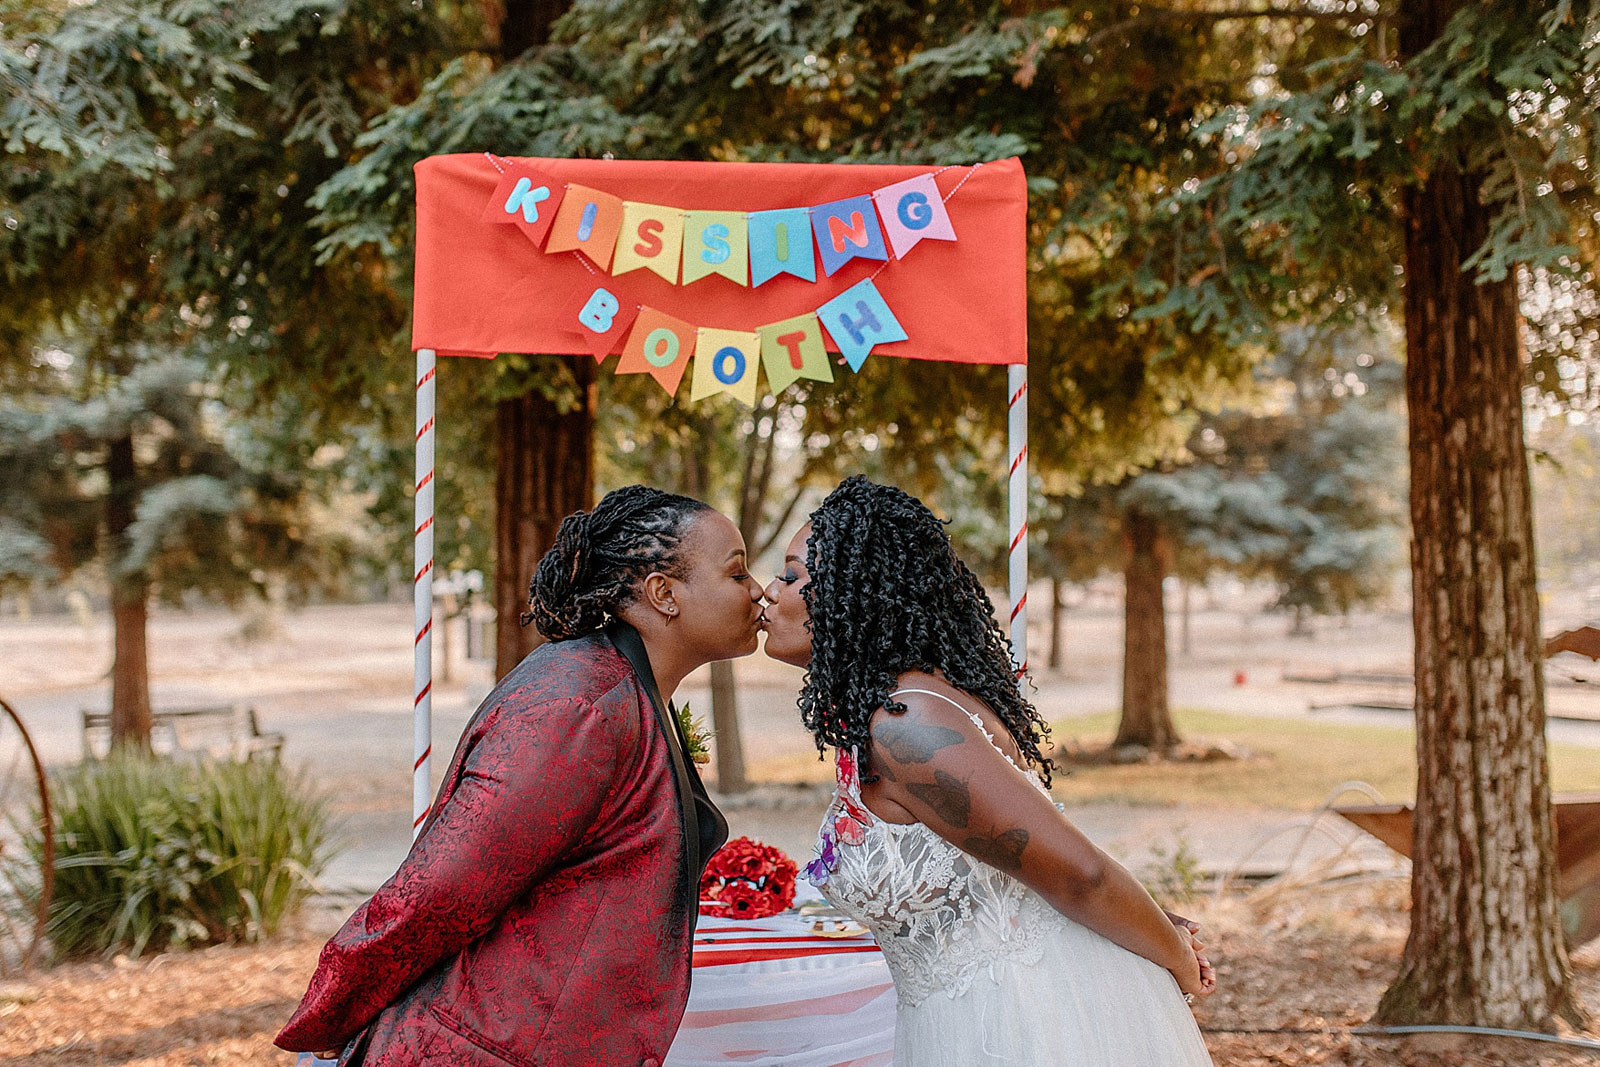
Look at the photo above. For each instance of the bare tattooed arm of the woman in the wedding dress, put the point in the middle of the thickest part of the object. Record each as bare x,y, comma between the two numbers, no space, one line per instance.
937,765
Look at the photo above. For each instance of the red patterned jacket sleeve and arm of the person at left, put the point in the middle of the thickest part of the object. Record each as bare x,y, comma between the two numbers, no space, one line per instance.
534,785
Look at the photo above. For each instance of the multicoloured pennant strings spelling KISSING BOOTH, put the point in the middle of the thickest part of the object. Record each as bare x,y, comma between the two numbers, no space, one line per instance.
746,249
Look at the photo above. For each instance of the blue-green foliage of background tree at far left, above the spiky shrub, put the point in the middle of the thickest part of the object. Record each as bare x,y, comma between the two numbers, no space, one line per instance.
217,511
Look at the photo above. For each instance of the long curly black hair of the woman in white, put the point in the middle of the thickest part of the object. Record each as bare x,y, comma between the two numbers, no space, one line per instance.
887,596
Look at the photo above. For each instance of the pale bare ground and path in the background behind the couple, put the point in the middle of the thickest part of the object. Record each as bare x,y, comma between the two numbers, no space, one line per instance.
337,682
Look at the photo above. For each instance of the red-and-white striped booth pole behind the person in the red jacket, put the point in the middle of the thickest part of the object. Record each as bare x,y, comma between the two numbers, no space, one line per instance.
423,594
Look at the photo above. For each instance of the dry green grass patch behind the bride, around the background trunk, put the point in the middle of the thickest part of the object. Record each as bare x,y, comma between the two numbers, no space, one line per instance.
1298,762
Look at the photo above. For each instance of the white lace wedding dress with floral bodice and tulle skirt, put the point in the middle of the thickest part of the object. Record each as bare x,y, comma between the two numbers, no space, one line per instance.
985,970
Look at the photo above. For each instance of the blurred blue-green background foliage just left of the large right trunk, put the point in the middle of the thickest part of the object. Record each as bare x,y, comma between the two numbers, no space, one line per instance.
1308,489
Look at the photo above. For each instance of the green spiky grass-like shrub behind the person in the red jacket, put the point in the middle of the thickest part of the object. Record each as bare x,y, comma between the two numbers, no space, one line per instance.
154,855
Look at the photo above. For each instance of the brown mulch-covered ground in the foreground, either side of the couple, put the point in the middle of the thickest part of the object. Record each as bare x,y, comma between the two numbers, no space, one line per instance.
1311,962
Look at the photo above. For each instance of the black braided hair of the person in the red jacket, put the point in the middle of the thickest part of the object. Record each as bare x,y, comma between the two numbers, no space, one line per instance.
599,556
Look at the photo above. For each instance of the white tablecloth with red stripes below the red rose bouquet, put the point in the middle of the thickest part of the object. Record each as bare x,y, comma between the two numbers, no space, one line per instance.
772,991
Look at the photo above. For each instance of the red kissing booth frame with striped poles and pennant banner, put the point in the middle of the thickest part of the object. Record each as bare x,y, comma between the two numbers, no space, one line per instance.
716,279
